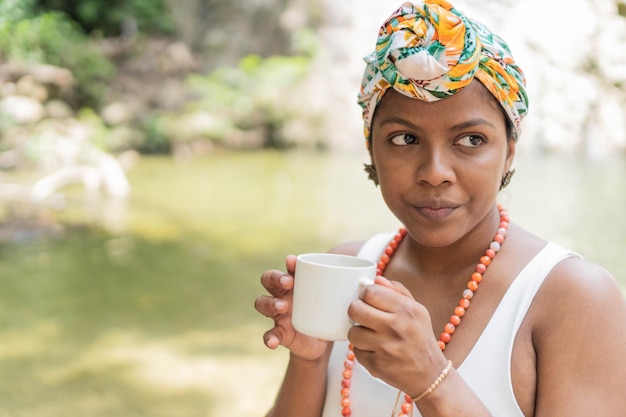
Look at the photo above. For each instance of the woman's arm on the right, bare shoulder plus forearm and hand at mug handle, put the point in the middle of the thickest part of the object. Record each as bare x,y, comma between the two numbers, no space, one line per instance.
578,334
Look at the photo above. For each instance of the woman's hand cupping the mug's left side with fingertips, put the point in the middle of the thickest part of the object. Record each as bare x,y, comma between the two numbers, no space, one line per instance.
277,306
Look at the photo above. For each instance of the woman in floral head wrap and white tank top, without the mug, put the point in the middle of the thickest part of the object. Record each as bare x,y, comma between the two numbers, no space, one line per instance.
442,103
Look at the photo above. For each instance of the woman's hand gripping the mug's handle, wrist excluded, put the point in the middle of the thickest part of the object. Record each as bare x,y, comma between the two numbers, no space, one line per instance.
394,340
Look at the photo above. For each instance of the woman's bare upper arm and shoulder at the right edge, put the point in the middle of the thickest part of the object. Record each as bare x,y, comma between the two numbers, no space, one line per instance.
580,339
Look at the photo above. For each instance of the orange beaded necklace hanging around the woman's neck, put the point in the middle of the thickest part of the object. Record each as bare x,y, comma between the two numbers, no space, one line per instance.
455,319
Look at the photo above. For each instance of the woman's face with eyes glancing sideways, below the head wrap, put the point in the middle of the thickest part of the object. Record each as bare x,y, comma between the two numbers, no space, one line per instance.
440,164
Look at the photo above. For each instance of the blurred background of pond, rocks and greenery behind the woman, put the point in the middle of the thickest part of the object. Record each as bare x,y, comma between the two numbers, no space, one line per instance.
157,155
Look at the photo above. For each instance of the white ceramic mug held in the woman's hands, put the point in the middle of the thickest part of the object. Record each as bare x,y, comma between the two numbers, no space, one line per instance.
324,287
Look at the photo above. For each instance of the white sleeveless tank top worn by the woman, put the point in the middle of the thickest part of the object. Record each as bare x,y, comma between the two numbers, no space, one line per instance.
487,367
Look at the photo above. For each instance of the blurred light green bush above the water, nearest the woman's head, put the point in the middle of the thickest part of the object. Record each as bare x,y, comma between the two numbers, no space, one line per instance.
257,94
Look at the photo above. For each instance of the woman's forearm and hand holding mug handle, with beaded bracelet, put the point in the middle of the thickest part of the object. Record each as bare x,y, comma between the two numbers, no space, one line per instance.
396,343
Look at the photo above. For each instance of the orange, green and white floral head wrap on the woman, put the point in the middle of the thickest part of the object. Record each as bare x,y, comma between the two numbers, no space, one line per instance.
429,50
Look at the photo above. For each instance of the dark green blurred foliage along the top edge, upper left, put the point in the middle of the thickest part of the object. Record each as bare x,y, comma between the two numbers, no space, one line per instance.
114,17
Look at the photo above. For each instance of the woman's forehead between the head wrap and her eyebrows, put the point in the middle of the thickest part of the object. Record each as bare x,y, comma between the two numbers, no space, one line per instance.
473,101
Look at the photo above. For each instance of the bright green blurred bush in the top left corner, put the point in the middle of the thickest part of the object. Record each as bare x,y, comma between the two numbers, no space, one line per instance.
52,38
